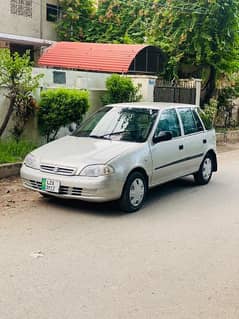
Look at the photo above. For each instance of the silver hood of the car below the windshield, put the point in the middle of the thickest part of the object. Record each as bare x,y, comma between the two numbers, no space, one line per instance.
80,151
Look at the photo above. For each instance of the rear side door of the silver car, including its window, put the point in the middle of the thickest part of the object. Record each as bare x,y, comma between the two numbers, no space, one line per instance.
194,141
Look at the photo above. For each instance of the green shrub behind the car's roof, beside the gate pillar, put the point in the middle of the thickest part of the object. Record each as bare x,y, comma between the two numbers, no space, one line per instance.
120,89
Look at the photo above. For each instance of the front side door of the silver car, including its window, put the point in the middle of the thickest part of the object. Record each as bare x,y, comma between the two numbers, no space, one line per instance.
167,155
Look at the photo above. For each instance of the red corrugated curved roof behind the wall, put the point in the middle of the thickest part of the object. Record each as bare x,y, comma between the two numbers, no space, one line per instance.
91,56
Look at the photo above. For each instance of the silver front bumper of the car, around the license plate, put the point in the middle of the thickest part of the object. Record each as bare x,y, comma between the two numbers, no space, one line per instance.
93,189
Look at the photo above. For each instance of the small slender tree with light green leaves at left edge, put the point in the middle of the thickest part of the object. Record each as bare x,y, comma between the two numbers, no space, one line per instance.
18,83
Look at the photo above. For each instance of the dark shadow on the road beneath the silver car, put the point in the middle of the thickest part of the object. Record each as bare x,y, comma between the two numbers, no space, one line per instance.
111,209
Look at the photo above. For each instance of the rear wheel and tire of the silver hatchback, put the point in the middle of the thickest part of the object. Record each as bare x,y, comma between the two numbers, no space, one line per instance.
203,176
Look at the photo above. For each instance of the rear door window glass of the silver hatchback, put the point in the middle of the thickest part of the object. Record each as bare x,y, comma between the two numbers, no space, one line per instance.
190,120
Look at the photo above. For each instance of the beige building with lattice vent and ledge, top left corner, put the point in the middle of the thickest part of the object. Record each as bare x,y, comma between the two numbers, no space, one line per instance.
28,25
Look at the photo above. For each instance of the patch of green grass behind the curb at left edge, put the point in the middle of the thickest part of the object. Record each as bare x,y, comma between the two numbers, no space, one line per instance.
12,151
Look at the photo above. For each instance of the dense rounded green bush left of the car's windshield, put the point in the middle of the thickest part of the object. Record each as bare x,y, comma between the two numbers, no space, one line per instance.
59,108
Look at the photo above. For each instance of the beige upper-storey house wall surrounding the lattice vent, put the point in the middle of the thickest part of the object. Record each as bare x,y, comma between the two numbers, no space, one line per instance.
32,26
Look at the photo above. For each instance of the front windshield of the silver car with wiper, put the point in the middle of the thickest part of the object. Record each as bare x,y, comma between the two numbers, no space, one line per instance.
117,123
